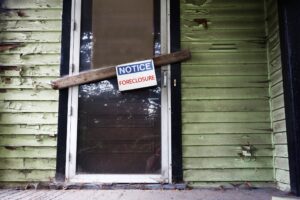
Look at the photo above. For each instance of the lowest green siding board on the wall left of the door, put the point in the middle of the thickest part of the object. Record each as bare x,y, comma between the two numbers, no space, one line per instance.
27,175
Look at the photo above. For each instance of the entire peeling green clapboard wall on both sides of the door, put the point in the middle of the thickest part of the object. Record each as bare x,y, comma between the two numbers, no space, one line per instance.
227,87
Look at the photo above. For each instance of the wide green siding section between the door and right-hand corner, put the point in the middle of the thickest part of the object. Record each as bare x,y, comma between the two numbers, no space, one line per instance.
225,89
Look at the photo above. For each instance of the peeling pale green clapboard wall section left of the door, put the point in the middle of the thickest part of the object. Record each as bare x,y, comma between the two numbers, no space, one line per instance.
30,34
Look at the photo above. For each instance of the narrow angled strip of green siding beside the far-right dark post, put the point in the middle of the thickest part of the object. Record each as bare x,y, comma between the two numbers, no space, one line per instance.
281,165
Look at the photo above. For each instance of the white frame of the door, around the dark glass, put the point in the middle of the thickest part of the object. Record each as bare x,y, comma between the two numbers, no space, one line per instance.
166,168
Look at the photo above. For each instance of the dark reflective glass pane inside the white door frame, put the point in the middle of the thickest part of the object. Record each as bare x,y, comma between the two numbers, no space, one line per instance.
118,132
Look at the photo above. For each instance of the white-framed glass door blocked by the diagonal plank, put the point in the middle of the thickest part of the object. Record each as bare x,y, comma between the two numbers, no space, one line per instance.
115,136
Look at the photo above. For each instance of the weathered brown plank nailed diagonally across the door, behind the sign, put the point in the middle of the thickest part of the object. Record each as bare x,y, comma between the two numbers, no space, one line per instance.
109,72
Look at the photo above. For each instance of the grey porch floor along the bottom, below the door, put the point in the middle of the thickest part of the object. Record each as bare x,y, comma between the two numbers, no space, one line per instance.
199,194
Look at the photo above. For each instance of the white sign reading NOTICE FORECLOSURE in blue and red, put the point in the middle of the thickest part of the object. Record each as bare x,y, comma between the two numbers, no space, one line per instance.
136,75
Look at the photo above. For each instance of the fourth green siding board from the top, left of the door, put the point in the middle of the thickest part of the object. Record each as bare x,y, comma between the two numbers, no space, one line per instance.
30,36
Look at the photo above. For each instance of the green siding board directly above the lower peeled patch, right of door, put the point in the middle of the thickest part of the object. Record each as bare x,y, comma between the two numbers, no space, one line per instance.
227,139
